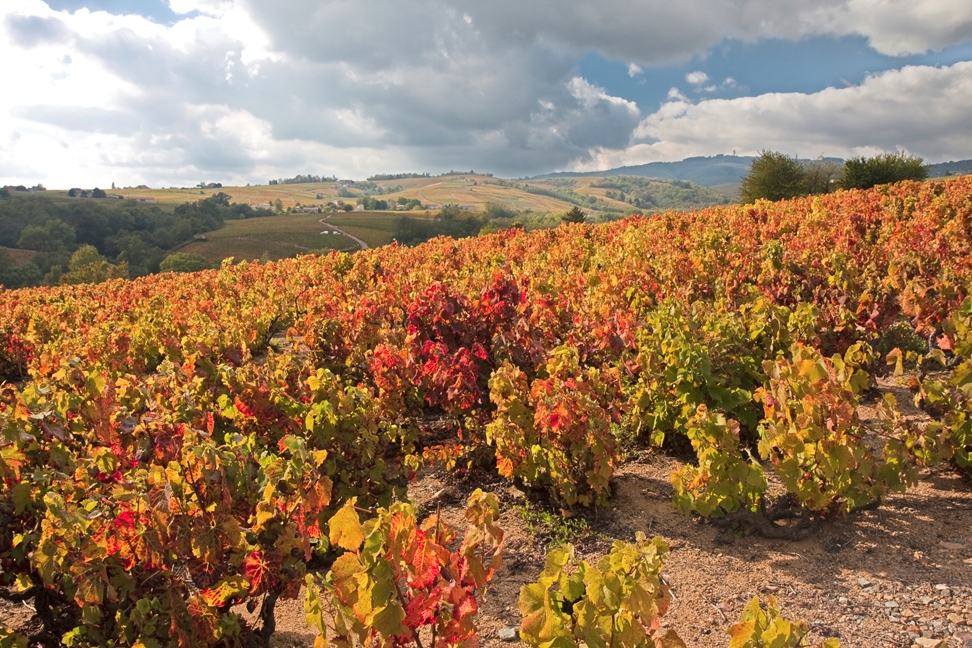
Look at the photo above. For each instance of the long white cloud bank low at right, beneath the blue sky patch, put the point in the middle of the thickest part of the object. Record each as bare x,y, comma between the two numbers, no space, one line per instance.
919,109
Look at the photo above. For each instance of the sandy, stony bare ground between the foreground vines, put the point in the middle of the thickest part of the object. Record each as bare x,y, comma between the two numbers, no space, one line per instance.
897,551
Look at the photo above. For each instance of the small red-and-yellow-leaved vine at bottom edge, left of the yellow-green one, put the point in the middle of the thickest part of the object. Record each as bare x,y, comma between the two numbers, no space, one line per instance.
397,577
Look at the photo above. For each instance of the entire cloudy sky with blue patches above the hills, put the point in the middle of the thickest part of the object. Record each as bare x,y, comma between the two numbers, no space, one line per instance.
175,92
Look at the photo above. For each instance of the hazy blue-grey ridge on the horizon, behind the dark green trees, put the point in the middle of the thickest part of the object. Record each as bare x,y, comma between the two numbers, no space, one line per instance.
723,170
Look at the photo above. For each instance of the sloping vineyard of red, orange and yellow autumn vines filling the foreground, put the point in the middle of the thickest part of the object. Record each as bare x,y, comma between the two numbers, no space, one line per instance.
181,452
